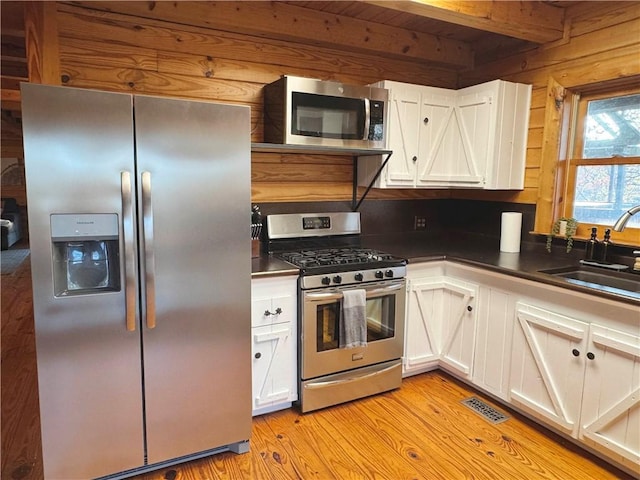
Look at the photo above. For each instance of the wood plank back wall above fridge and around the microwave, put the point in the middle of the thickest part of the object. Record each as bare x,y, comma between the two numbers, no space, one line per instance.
117,52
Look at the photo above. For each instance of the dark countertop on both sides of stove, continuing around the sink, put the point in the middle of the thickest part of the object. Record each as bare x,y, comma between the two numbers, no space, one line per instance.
482,252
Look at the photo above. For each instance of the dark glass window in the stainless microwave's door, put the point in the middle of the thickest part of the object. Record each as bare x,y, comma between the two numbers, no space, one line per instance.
327,117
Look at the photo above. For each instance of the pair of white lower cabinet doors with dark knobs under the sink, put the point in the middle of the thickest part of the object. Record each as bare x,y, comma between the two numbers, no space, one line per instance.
581,378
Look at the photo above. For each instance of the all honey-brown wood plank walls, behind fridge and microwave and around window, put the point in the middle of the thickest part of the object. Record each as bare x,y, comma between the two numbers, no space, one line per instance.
119,52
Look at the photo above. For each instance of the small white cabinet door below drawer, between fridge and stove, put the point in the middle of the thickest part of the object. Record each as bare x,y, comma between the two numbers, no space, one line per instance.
273,365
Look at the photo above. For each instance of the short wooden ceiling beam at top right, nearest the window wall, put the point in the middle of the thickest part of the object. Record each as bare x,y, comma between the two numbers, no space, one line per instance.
532,21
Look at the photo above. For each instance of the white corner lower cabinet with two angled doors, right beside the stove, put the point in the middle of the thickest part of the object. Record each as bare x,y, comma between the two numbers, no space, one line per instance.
441,326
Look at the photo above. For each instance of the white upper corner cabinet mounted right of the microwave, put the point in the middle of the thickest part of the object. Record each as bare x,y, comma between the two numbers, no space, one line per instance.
475,137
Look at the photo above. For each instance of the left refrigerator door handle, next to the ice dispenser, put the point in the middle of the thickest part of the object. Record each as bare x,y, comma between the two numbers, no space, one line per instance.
129,252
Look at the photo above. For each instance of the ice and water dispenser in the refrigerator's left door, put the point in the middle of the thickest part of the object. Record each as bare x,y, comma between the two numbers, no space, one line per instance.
86,257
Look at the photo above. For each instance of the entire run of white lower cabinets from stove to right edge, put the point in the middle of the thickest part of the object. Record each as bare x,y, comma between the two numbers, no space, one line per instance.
568,359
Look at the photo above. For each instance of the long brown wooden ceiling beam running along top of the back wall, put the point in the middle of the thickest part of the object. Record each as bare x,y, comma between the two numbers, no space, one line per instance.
281,21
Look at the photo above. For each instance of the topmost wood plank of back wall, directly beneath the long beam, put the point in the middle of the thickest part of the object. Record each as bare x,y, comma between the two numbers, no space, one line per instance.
77,25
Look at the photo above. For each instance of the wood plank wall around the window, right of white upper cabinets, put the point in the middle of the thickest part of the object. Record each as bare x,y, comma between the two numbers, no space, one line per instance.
601,43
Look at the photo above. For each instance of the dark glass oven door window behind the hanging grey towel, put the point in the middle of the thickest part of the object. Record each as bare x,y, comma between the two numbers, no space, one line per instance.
380,317
